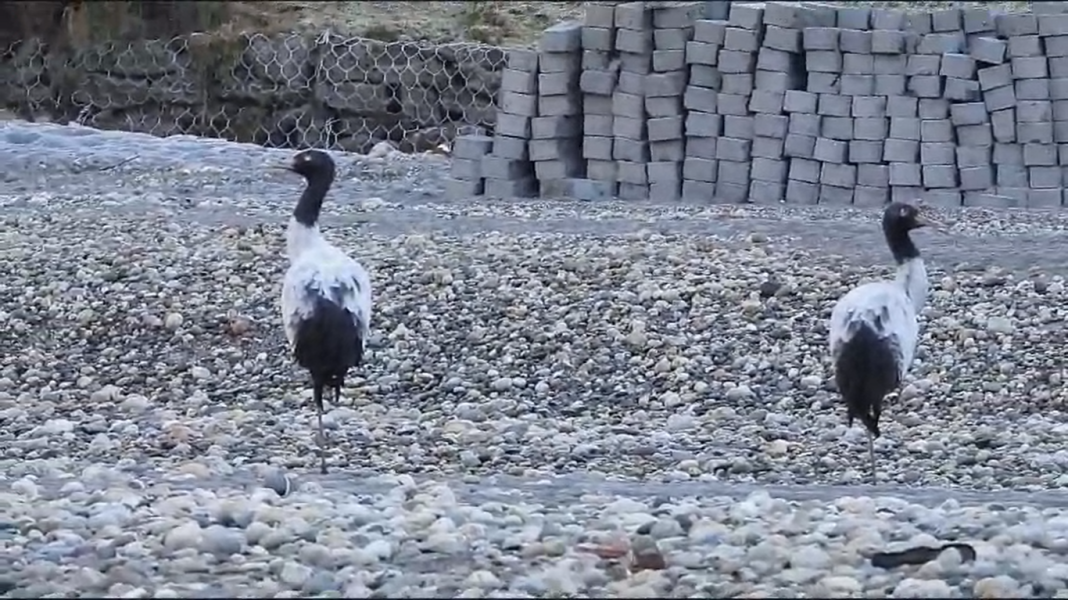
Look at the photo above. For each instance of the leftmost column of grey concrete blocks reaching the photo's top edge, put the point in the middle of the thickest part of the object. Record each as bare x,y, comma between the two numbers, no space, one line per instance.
601,71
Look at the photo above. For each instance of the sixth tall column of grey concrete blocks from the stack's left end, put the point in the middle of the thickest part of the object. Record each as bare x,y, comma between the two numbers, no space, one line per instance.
704,125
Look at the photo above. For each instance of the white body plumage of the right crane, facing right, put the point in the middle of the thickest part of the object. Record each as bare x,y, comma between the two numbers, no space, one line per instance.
890,308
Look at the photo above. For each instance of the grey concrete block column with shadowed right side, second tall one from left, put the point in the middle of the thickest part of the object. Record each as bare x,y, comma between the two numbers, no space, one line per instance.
556,146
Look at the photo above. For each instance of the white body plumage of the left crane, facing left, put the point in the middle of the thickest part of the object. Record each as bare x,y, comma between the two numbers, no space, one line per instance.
318,270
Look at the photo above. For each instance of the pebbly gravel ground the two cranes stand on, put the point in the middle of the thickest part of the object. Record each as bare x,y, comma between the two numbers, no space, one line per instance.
147,399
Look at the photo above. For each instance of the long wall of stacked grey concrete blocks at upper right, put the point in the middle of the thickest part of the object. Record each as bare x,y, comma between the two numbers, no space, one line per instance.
806,104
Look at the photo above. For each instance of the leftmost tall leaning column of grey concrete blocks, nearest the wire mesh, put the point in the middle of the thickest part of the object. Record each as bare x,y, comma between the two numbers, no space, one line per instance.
508,171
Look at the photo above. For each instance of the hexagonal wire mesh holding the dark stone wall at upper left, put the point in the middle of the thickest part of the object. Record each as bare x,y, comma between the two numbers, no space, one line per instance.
290,91
